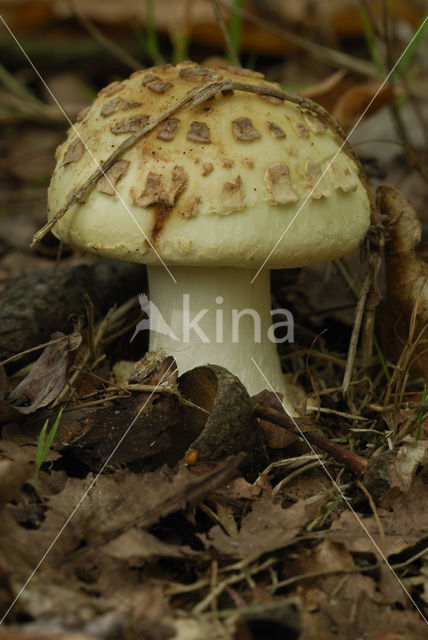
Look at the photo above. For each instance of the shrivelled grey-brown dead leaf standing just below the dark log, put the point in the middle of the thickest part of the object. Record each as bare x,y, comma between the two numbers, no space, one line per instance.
48,374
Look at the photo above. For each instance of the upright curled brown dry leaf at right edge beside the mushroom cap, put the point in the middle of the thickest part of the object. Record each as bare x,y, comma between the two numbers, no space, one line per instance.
406,281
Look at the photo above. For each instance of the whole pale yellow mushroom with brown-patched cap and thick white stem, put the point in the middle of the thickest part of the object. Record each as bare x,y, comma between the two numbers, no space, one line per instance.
205,198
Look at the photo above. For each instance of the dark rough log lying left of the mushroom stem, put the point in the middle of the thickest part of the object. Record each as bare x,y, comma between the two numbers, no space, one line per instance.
36,305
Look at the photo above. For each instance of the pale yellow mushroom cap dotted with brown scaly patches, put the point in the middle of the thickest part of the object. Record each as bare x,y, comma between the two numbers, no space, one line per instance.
215,184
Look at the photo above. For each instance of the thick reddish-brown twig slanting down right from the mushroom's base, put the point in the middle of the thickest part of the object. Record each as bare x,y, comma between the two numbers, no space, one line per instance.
350,460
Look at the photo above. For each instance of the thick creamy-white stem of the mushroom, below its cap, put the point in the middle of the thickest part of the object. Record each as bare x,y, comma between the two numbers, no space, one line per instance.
215,315
